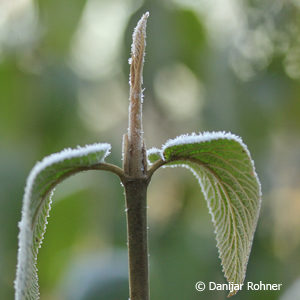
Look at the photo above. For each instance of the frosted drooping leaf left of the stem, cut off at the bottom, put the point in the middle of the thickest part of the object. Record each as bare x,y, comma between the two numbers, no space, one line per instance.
36,206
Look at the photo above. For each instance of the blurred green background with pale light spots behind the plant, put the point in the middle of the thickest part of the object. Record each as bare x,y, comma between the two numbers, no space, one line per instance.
210,65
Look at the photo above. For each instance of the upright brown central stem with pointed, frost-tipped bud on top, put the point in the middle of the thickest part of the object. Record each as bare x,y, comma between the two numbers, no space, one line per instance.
135,172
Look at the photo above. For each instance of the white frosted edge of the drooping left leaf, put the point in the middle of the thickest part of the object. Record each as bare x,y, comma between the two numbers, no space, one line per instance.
26,282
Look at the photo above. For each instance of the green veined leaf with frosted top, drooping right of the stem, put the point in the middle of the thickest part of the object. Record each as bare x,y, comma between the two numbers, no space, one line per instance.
226,174
